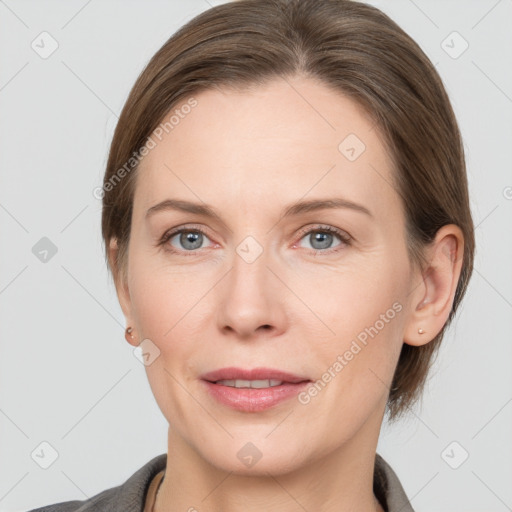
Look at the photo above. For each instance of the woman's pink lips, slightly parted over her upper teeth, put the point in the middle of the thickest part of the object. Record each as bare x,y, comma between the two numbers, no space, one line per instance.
252,399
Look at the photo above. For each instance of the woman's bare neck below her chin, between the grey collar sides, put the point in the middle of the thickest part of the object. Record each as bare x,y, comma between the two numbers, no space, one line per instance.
341,481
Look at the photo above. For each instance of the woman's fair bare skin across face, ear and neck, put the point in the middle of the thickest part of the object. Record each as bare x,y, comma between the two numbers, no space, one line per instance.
248,155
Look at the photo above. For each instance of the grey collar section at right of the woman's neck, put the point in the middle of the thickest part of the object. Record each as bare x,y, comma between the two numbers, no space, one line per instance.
388,489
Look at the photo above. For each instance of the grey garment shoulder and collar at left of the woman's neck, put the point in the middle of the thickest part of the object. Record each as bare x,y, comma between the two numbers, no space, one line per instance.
127,497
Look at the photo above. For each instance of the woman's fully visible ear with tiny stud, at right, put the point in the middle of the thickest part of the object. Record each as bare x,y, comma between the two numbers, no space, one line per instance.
432,298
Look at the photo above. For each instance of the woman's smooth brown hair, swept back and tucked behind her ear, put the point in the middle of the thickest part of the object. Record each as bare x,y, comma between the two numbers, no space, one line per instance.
350,47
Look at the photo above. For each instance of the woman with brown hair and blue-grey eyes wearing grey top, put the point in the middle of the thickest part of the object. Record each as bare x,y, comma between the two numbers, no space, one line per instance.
286,218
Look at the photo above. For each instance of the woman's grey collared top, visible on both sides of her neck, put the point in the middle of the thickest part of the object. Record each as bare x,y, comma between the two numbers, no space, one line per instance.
131,496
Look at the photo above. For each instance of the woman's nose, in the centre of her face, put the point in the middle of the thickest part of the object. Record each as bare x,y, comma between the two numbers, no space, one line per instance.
251,297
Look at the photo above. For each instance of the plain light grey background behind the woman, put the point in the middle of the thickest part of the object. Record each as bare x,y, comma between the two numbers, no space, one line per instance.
67,375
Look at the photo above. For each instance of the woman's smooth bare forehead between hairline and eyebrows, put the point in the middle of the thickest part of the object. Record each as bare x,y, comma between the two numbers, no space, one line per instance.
278,142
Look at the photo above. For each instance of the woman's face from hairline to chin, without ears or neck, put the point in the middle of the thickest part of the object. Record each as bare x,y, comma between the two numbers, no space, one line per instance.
262,284
